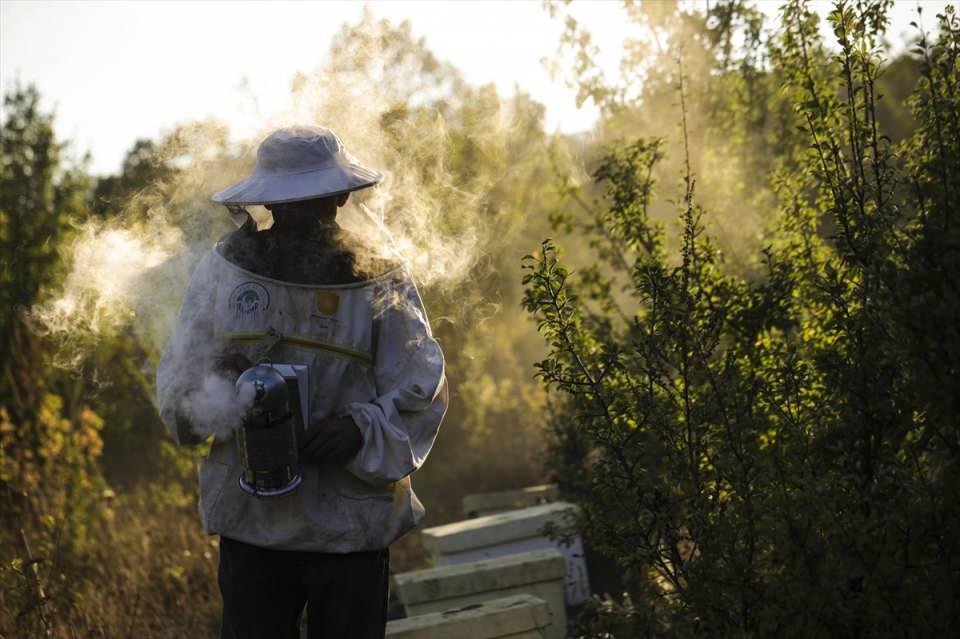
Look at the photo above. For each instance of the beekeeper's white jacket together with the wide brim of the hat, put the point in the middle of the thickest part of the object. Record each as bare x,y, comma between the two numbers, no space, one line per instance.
370,354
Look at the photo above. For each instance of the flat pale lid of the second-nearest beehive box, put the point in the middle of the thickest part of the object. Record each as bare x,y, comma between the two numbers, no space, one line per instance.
487,575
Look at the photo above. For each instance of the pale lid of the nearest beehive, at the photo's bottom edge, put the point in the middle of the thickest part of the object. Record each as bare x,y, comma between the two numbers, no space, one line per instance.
491,619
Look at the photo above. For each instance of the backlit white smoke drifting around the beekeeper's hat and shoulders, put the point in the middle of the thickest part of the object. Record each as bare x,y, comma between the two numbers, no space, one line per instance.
128,272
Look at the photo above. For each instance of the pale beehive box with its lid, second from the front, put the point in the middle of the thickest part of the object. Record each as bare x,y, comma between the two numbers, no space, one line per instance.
539,573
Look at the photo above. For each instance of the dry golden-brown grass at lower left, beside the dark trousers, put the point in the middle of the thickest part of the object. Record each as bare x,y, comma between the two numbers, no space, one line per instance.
143,569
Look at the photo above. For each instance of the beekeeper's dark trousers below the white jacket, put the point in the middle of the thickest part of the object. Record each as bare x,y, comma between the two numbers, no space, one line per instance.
264,592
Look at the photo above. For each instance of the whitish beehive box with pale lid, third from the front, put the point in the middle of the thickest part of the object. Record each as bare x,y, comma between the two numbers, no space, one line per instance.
509,533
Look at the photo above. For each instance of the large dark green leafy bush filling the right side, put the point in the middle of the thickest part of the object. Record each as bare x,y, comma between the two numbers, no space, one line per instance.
775,455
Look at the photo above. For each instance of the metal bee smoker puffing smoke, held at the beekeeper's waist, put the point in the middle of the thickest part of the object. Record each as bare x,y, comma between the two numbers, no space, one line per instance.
268,436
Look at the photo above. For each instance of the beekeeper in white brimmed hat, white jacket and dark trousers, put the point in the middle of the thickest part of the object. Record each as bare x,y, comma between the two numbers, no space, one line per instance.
296,293
